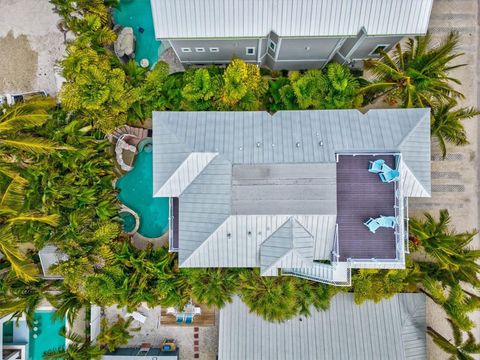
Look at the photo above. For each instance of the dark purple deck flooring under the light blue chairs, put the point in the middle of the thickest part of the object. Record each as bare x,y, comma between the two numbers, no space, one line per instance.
361,195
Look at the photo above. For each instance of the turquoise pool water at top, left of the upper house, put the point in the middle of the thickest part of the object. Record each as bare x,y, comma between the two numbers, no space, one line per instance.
138,14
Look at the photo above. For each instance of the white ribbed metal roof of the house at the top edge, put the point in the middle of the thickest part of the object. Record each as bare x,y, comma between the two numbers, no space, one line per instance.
247,18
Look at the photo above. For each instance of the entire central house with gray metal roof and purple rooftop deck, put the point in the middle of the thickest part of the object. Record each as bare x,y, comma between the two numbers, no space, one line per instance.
290,192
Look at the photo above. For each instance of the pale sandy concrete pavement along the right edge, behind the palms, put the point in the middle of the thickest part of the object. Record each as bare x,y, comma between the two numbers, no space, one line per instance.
455,179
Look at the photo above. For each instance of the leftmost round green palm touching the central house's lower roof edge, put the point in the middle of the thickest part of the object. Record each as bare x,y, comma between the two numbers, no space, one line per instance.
213,286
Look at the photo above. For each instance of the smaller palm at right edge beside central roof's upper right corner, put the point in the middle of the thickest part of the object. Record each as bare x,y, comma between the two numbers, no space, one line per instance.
446,124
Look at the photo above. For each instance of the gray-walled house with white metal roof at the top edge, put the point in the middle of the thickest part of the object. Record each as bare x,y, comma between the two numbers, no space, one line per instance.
286,34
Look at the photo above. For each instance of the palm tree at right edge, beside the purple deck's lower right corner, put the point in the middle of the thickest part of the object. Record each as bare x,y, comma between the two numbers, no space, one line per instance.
448,248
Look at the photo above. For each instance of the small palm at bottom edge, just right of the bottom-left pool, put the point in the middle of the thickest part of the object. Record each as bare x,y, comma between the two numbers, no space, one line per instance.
79,348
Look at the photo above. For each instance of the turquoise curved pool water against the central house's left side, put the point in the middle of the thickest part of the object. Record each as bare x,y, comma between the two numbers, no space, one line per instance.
136,192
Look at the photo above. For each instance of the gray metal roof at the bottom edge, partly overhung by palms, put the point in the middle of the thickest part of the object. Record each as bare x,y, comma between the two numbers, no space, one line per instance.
393,329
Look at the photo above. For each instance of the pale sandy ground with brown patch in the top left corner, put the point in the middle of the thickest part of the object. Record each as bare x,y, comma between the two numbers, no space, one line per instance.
30,45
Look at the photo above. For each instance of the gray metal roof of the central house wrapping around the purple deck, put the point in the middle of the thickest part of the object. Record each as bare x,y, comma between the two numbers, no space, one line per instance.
259,170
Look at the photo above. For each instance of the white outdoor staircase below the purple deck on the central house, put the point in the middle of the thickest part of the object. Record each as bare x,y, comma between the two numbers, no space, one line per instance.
338,273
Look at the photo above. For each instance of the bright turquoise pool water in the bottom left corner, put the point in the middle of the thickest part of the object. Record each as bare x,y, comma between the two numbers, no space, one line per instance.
48,337
